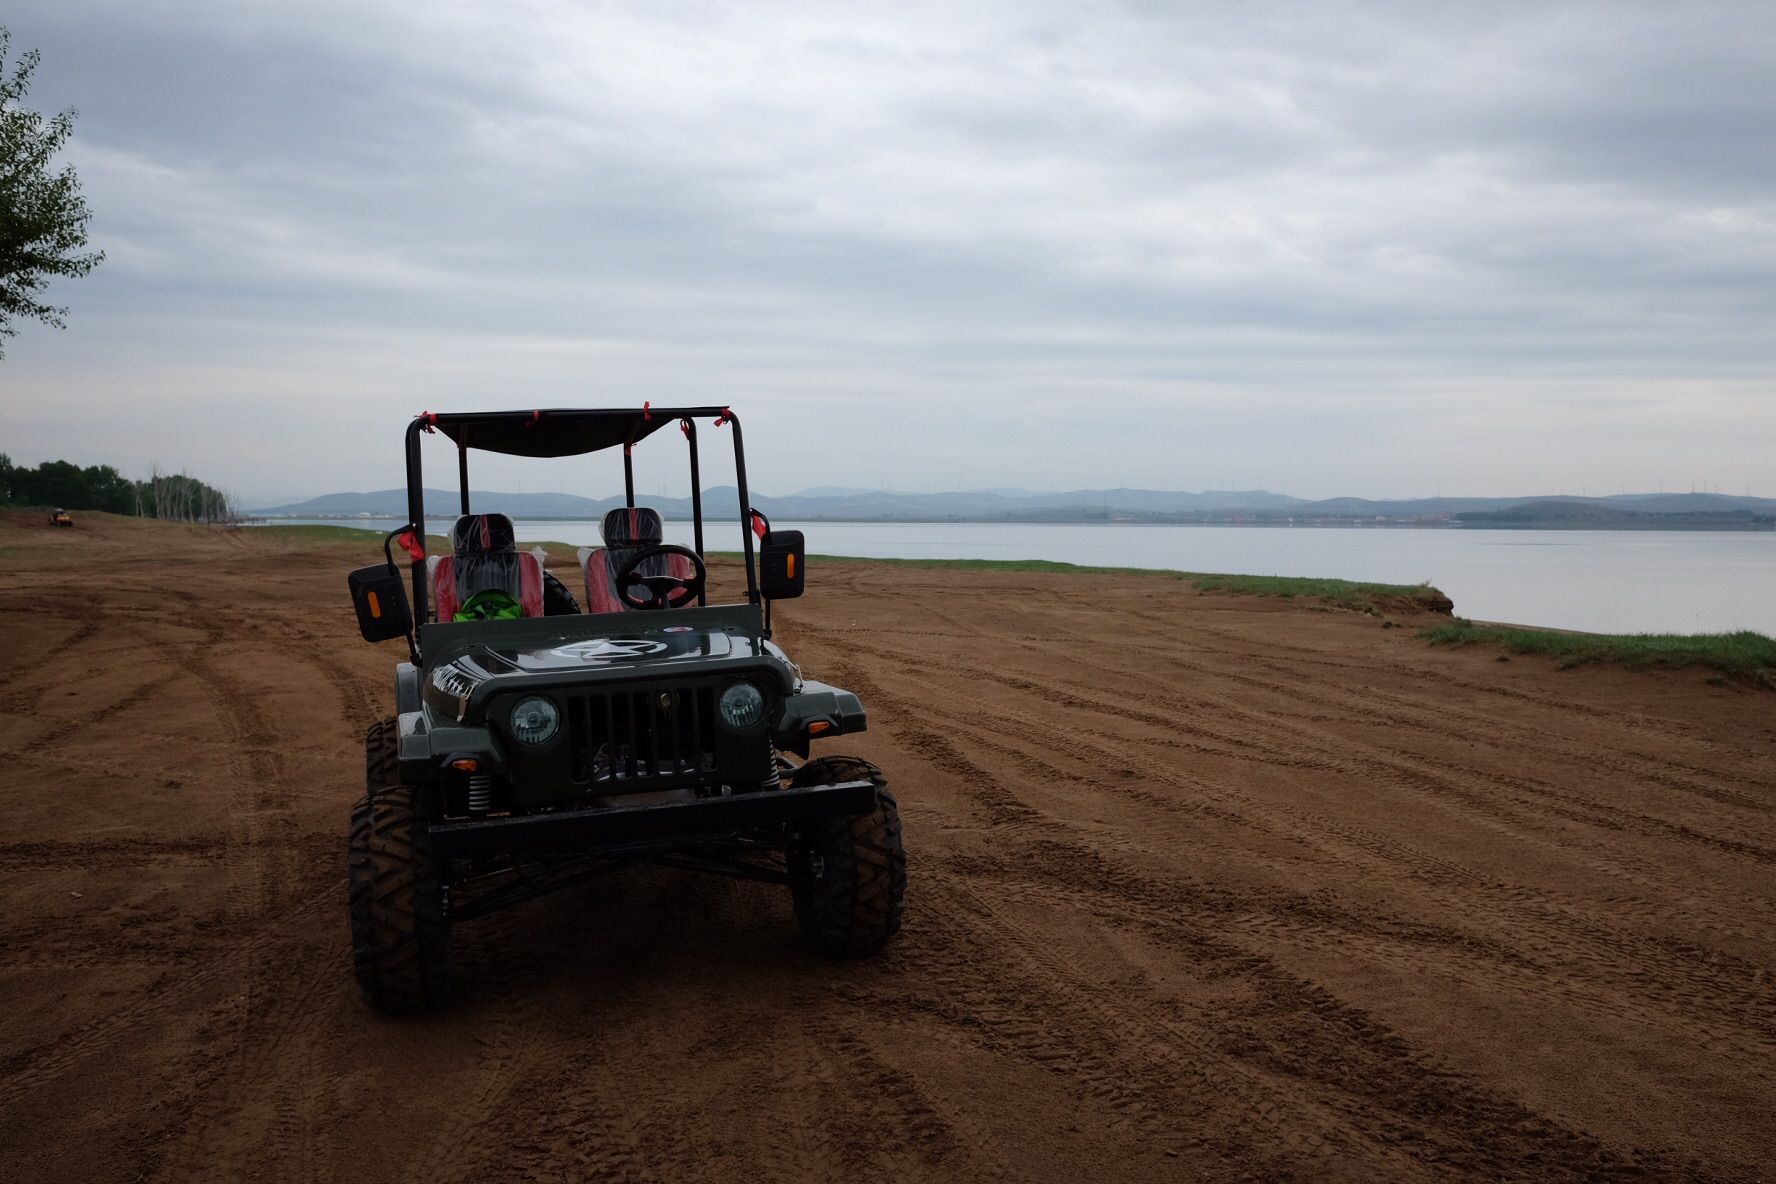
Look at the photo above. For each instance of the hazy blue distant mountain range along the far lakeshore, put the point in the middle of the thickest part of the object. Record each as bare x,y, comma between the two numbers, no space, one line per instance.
1210,507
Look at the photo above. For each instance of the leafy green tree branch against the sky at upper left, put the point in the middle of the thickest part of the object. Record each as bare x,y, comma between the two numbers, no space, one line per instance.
44,217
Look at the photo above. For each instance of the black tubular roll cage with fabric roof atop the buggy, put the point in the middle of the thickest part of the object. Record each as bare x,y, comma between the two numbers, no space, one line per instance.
566,432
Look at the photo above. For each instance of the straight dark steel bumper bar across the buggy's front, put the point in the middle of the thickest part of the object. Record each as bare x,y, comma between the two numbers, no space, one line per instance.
624,826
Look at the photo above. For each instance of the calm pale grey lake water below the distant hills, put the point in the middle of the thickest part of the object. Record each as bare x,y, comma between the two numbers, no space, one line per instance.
1603,581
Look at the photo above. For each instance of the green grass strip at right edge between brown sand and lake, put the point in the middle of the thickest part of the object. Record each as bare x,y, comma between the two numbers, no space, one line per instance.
1731,654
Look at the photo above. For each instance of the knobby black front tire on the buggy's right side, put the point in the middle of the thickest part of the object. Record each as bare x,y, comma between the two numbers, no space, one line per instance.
848,876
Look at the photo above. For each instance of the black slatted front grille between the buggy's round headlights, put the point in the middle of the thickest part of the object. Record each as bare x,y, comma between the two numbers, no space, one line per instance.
654,736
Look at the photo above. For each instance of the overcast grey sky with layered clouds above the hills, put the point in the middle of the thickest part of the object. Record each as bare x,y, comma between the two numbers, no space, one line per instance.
1374,249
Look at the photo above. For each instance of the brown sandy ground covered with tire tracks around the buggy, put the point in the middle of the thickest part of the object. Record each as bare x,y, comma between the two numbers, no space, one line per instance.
1201,888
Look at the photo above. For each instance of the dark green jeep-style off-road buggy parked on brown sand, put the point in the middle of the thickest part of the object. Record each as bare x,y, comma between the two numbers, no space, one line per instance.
535,746
